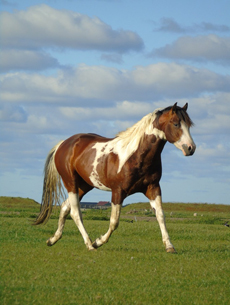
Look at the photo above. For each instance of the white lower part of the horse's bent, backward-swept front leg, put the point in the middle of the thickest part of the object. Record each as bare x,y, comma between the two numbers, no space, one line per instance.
114,222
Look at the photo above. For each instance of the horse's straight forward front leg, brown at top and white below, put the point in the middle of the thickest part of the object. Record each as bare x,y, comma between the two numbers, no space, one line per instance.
154,195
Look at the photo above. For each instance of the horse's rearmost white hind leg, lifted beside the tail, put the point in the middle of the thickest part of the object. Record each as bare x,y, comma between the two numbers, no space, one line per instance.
65,209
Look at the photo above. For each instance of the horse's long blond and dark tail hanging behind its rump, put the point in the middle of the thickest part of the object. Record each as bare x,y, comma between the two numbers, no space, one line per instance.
52,187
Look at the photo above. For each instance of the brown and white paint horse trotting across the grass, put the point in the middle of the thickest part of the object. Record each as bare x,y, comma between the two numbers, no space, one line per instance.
124,165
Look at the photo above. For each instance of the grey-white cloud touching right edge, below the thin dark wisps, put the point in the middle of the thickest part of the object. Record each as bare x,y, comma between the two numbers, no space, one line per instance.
199,48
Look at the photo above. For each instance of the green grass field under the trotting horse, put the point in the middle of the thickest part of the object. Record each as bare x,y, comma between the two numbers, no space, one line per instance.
133,268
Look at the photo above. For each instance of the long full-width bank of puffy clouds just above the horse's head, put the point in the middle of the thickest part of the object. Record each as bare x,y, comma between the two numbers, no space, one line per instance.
98,85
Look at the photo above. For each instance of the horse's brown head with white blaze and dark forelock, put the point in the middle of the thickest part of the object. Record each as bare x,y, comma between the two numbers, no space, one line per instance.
176,123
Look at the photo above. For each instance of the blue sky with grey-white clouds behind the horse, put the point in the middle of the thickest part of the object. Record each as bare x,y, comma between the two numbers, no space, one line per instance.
99,66
